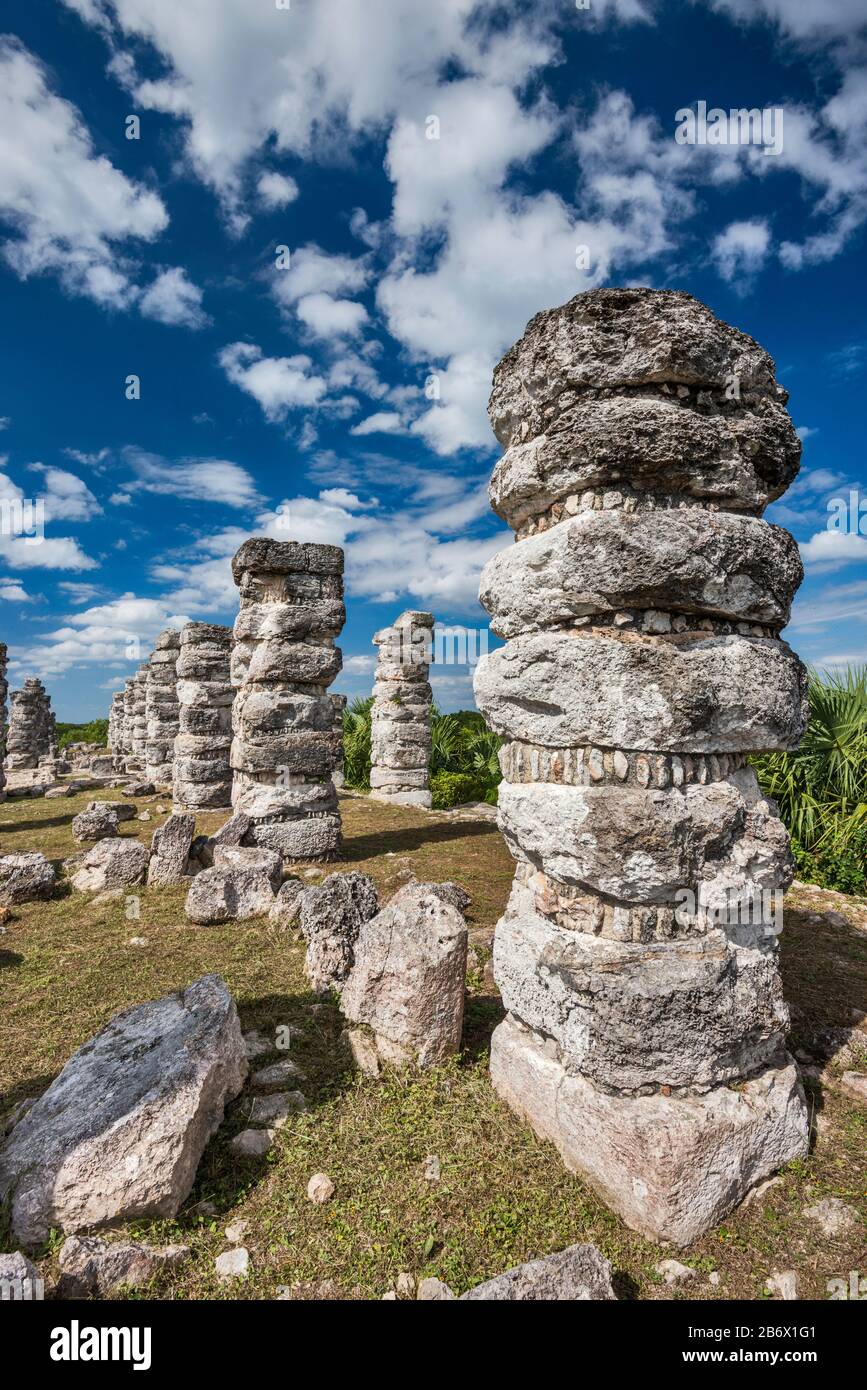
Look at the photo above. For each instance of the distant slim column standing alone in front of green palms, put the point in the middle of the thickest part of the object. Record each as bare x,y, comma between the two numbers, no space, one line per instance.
401,717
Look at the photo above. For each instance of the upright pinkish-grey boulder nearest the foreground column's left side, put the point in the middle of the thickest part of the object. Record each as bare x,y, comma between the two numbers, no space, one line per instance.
408,981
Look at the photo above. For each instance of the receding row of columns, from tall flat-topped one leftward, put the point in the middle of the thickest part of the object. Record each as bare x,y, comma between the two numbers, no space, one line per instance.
244,718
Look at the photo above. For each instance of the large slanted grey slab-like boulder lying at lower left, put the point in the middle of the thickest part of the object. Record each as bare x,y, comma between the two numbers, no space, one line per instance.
119,1135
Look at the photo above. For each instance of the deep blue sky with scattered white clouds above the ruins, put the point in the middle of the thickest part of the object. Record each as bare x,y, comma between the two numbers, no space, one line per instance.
342,397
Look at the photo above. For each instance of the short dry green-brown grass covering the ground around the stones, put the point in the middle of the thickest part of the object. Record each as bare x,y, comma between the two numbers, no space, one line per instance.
502,1197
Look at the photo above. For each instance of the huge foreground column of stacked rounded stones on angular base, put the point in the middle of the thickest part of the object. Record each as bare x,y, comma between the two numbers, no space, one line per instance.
643,604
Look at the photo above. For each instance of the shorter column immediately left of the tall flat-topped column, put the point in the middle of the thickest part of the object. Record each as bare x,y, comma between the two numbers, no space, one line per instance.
202,772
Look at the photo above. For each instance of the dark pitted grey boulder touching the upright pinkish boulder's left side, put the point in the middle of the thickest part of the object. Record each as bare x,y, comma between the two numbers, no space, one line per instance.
331,917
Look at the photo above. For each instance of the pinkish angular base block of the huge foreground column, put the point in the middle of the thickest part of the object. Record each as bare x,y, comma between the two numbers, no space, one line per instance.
672,1167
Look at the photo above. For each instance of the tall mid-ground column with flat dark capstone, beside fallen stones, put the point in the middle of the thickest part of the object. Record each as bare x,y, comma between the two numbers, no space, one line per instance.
287,740
